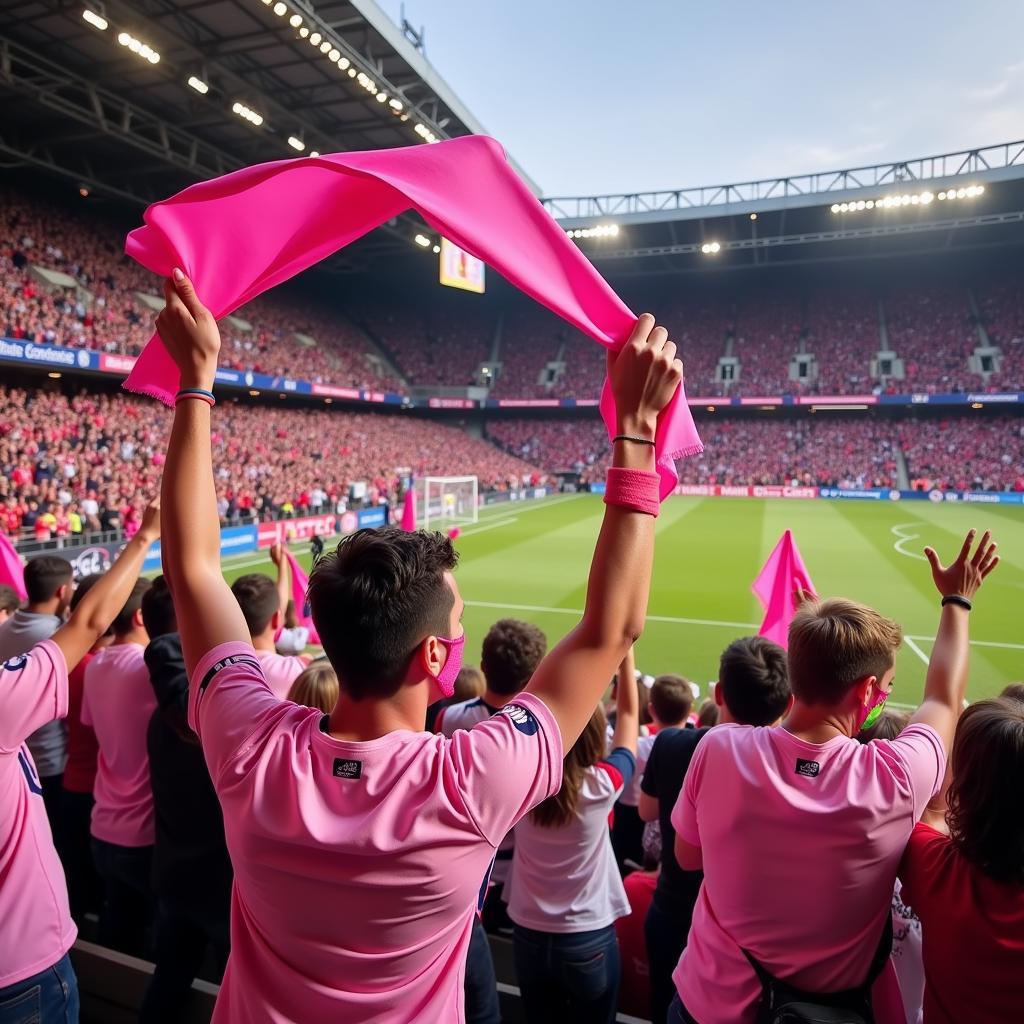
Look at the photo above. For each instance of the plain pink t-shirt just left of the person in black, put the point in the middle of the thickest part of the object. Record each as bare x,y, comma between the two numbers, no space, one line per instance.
118,702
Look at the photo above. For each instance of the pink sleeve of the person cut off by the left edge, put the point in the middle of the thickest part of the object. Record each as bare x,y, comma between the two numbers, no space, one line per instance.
33,692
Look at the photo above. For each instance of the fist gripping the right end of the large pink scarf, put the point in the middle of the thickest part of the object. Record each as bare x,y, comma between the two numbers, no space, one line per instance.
645,375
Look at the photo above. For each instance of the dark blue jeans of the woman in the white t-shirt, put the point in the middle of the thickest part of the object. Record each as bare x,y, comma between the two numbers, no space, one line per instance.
568,978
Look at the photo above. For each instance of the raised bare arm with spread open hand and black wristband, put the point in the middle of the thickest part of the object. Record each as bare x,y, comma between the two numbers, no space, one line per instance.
946,682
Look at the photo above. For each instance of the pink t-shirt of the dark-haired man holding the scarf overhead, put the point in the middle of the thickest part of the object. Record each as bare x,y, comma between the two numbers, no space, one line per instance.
358,867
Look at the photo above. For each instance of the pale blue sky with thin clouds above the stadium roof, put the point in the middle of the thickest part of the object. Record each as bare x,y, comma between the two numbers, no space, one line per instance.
598,96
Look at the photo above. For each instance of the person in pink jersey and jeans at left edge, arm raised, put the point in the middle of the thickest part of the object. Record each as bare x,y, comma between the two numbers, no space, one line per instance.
36,930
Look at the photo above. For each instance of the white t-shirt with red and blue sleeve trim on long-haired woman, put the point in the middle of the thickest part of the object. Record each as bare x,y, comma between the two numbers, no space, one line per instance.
565,878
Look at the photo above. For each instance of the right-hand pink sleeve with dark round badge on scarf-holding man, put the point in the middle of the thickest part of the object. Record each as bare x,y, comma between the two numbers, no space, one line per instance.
504,767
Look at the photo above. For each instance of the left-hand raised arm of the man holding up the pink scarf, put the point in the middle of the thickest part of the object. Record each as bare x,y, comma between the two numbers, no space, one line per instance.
208,615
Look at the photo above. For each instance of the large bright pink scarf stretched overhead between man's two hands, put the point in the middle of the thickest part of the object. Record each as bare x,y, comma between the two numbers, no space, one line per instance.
242,234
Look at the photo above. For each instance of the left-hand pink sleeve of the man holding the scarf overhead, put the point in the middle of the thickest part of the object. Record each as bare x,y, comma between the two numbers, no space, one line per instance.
229,702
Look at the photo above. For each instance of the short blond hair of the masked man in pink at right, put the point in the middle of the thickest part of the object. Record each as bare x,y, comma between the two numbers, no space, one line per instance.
835,644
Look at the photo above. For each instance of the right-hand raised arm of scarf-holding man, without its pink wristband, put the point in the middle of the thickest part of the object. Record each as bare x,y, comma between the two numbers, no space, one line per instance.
645,377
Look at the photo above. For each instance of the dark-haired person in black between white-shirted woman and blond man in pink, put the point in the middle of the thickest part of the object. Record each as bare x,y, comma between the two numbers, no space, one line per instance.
753,689
